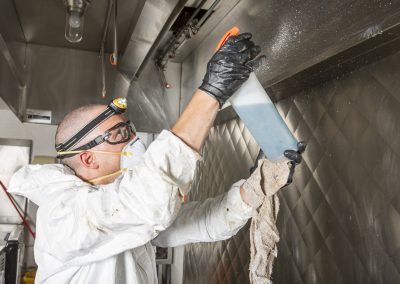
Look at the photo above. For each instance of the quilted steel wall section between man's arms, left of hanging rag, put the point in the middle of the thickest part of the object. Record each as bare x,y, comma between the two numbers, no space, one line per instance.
227,154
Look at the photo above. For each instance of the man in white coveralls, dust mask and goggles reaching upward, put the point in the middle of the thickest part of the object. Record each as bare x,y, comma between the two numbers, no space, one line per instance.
97,220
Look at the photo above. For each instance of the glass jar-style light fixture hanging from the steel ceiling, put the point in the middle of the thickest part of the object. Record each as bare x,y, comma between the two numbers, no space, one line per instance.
74,19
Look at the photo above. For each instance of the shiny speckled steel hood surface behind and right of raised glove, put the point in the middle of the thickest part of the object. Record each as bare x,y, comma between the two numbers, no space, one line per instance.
294,35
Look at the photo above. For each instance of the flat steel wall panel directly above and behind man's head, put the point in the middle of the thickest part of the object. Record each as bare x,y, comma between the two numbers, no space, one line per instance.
62,79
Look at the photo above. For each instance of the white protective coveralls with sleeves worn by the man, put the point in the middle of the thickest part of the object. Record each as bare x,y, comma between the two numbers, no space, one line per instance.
104,234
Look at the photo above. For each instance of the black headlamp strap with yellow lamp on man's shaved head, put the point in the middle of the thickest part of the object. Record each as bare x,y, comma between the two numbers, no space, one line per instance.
116,106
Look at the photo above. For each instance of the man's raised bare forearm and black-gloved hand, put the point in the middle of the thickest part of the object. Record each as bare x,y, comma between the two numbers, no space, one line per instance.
227,70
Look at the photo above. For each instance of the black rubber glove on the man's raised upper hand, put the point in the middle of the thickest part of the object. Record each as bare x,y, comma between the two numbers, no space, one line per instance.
230,67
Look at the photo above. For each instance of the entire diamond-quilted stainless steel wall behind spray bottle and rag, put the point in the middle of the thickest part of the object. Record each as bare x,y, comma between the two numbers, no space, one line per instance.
340,221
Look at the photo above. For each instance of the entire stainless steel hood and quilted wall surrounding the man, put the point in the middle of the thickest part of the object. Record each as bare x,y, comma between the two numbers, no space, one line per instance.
331,70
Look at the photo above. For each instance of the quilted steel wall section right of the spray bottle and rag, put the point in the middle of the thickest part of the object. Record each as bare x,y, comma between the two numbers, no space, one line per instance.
340,221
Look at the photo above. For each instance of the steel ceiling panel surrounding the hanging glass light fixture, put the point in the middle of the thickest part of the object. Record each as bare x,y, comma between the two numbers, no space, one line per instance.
43,22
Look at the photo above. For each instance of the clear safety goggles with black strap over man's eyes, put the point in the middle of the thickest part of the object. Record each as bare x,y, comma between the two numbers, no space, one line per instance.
120,133
